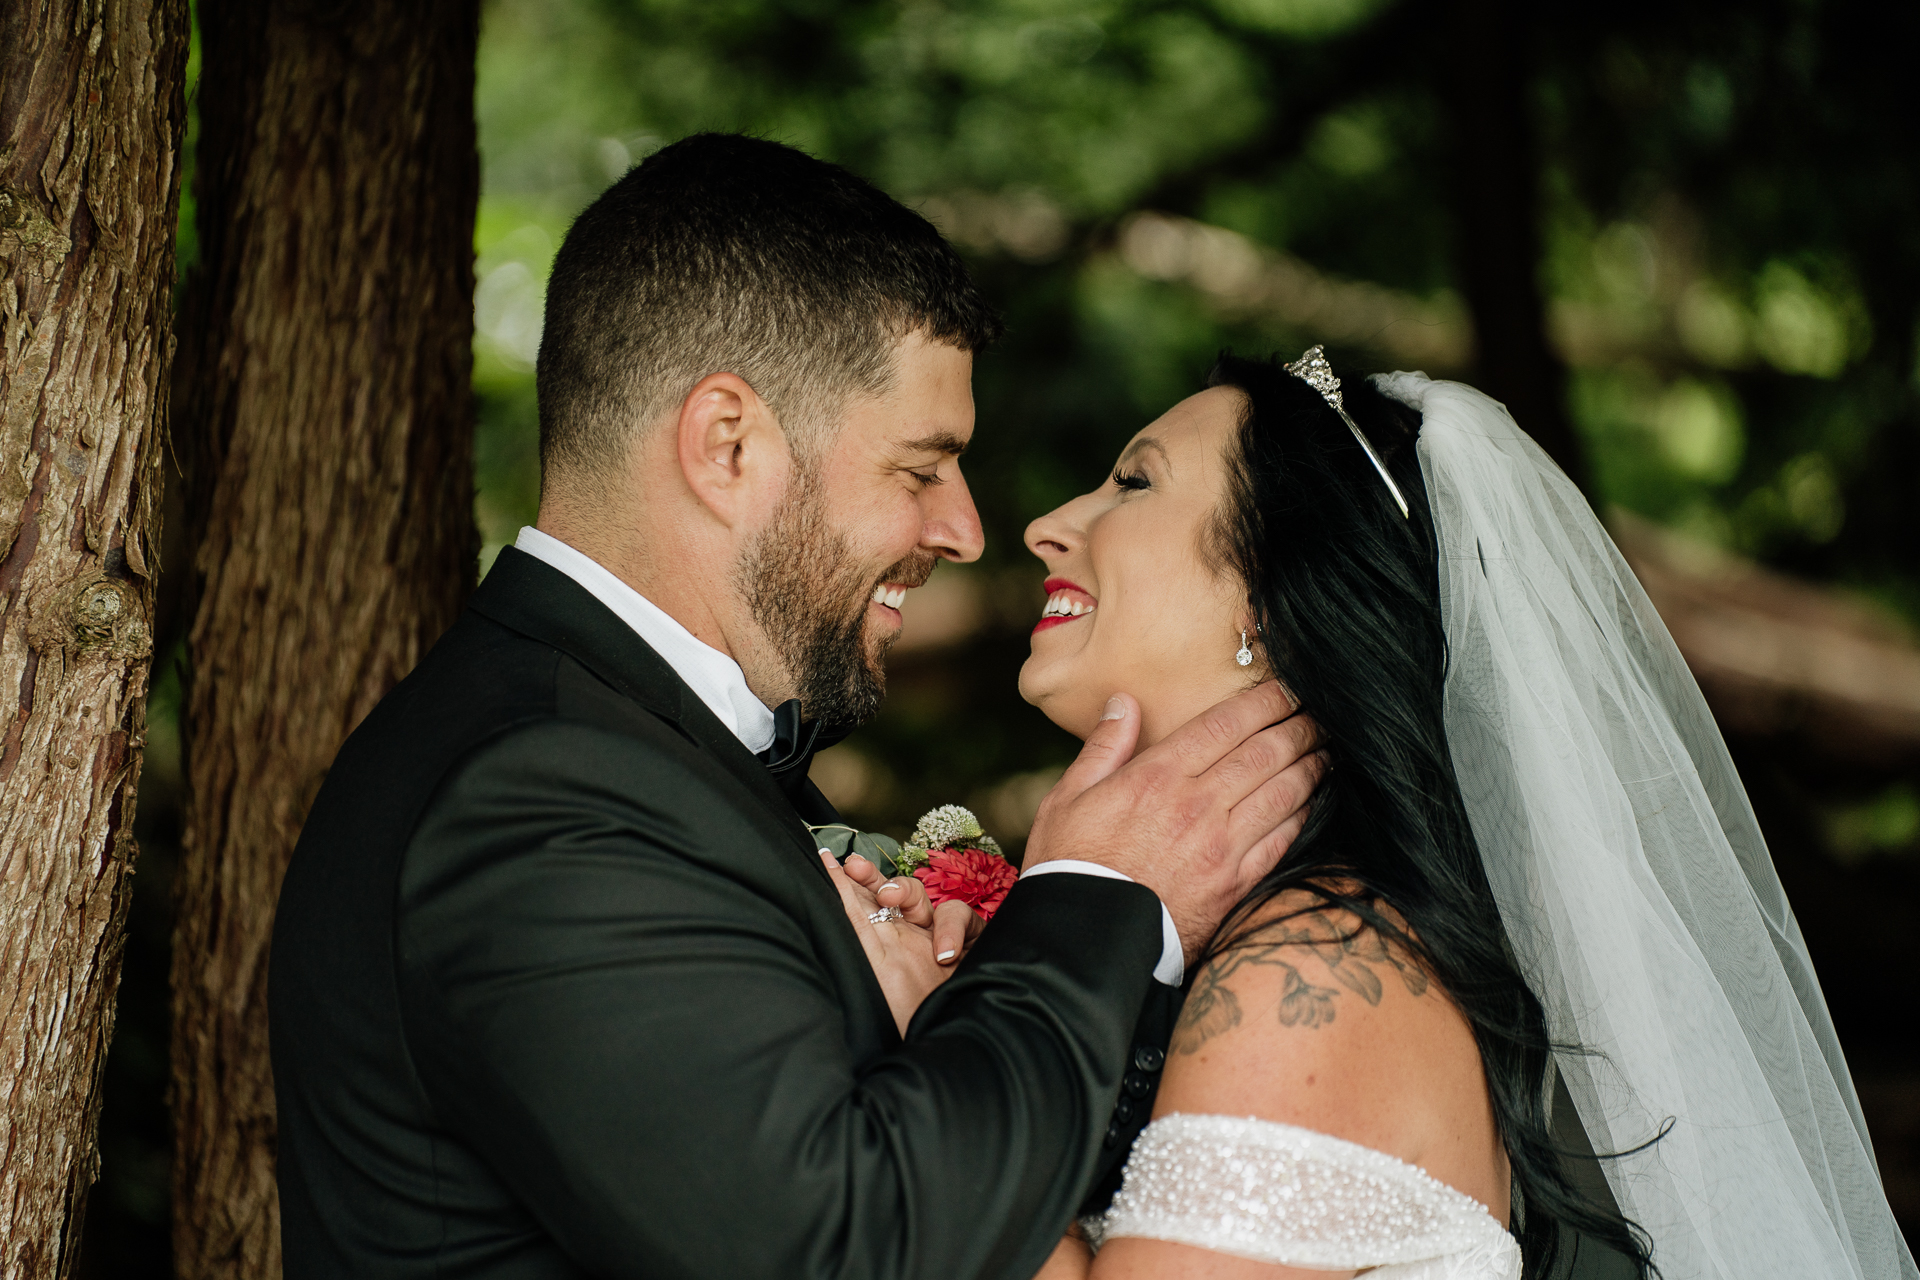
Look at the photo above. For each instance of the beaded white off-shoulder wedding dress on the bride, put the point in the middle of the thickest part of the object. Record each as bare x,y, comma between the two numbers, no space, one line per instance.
1301,1198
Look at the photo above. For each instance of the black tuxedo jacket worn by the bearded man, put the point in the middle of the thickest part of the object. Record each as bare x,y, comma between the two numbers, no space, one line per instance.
562,989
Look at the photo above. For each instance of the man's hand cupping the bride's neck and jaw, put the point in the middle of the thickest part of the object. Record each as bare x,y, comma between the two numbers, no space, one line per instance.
1201,817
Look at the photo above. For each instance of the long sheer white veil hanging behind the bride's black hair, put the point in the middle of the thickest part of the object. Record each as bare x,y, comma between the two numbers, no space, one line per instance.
1633,880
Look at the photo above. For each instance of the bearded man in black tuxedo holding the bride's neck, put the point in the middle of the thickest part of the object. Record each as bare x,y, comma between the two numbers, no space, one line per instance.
560,982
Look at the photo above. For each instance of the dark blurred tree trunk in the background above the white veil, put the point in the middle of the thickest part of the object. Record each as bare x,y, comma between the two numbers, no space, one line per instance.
1497,210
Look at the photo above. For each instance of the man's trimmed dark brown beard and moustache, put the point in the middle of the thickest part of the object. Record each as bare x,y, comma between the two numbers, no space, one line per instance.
809,596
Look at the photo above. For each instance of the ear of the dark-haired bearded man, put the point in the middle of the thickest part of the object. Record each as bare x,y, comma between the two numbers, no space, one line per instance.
732,452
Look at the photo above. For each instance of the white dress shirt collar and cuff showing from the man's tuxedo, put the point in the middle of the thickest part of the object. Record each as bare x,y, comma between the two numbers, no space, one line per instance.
719,682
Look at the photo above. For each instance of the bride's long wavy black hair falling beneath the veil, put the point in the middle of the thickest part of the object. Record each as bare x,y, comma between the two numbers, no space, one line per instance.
1347,598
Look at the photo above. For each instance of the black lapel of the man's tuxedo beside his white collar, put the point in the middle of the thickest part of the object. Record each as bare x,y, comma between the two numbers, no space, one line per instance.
540,602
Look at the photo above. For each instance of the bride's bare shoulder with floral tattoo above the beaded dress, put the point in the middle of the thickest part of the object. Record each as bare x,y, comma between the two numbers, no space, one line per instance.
1318,1020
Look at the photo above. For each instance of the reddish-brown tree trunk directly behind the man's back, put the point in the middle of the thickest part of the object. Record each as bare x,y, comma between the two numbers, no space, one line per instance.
329,410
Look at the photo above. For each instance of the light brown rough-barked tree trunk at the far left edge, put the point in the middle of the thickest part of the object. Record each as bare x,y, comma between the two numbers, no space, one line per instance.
93,112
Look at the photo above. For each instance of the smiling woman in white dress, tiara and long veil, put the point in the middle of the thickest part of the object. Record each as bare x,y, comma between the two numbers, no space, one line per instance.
1531,872
